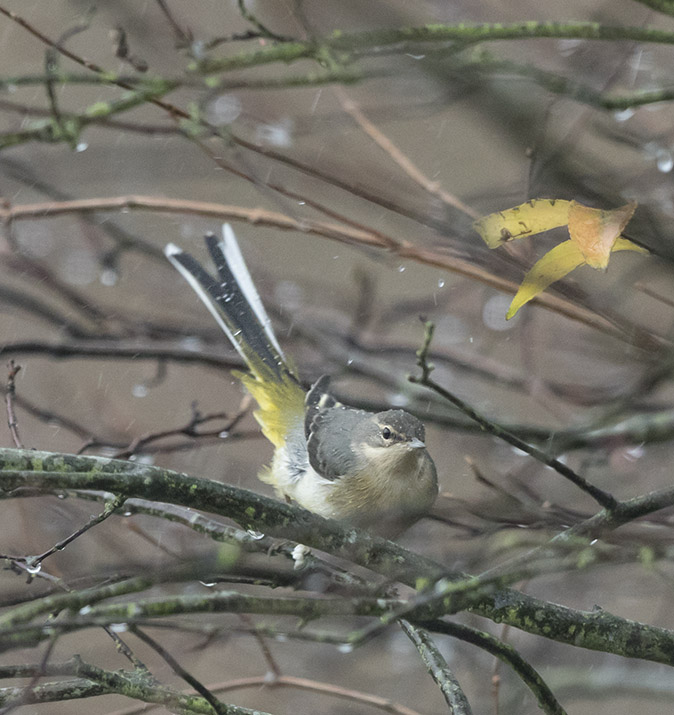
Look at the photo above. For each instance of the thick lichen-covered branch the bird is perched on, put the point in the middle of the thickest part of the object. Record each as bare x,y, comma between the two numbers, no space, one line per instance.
597,630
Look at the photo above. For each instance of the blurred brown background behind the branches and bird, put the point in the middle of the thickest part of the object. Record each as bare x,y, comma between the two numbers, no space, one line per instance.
490,139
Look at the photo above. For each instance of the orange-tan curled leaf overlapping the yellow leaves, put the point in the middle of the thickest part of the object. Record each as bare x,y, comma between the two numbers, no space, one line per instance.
595,231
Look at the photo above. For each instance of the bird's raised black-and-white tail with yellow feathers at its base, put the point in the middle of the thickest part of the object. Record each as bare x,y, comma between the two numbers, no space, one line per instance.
235,303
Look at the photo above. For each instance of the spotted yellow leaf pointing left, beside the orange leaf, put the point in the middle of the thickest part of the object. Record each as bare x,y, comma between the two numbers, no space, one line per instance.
528,219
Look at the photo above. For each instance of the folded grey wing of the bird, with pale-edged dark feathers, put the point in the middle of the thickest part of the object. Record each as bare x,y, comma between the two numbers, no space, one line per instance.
329,427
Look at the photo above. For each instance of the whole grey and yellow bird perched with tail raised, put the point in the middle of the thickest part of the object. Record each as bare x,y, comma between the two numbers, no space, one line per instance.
371,470
